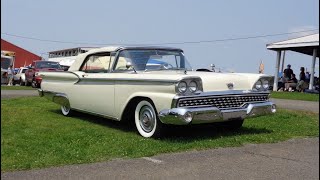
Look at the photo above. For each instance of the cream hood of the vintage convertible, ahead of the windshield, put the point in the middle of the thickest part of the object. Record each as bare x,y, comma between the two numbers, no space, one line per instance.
211,81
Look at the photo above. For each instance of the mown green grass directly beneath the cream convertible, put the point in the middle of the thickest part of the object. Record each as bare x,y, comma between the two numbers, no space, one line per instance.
34,134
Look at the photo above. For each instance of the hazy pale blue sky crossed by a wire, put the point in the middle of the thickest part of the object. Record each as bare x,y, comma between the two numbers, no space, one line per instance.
154,22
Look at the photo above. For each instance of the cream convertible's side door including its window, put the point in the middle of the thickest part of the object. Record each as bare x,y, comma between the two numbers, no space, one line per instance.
94,92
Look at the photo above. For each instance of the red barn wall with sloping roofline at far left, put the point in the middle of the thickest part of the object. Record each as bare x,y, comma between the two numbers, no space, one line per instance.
23,57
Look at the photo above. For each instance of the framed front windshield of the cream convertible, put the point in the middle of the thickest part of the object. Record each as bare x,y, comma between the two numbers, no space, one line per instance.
152,60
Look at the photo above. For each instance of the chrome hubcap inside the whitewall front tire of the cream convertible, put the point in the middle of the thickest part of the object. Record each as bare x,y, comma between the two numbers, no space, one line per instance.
146,119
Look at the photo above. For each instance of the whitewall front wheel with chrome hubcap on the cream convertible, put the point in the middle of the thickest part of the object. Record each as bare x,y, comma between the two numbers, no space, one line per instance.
146,120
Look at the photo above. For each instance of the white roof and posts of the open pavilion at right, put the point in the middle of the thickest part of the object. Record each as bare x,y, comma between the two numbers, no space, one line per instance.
307,45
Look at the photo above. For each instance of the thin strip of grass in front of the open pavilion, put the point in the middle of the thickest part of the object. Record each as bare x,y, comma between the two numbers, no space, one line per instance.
295,96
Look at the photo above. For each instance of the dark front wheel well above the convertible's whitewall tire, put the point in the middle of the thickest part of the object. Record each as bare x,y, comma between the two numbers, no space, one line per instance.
128,112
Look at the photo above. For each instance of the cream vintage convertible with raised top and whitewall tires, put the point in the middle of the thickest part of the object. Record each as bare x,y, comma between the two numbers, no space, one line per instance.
153,86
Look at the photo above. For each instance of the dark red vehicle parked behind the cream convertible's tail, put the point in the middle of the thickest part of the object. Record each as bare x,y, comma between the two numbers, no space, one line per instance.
40,66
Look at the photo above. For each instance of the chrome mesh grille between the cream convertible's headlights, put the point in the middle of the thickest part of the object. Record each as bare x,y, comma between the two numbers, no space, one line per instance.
222,102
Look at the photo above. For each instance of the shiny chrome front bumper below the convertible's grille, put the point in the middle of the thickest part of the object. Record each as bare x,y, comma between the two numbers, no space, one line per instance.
185,115
